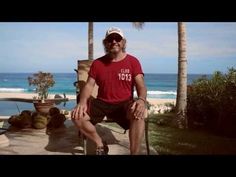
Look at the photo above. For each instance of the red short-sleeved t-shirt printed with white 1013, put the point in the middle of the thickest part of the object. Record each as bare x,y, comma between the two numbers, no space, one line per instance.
115,79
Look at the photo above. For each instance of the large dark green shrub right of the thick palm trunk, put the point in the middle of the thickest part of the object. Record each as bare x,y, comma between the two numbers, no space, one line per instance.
212,102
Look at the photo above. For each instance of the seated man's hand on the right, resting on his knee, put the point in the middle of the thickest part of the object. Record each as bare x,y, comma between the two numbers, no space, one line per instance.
138,109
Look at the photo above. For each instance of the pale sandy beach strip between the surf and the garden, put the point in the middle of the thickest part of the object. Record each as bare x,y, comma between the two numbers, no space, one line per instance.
157,105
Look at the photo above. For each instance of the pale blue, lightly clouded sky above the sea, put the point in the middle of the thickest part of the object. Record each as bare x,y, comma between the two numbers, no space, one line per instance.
56,46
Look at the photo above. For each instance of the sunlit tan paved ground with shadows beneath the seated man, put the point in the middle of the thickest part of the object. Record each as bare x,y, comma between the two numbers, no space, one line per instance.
64,141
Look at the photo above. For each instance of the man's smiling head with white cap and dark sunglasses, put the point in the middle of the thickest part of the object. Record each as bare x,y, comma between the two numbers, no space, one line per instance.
114,40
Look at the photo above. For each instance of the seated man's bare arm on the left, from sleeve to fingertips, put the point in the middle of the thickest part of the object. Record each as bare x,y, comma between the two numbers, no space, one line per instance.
86,92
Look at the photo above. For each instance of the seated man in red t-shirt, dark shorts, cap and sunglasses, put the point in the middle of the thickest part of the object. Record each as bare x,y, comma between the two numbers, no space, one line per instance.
116,74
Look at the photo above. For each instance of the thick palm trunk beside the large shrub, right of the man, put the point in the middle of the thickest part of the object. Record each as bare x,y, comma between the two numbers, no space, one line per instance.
181,102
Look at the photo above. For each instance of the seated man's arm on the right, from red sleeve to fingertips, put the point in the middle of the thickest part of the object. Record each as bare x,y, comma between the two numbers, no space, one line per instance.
140,104
